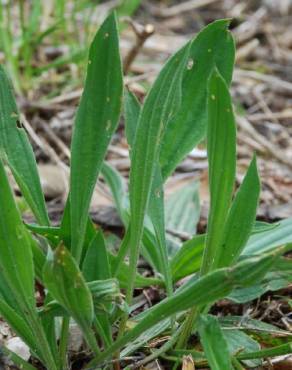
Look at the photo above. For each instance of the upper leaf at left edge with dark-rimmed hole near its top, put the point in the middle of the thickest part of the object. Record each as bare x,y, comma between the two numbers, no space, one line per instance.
17,150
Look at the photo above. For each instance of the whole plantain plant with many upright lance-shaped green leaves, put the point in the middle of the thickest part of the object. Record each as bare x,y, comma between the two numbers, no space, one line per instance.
84,280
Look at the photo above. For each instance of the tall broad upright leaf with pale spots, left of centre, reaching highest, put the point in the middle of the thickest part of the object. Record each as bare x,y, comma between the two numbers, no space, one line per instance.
96,121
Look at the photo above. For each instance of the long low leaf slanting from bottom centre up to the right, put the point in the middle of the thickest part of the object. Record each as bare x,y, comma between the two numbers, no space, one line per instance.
199,292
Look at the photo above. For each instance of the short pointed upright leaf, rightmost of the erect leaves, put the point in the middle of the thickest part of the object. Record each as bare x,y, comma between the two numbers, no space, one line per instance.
241,218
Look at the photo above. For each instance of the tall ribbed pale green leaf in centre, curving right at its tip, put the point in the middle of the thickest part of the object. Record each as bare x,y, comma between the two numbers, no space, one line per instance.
160,105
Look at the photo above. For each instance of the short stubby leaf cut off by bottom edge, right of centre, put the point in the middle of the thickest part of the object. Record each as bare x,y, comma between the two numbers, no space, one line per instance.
214,343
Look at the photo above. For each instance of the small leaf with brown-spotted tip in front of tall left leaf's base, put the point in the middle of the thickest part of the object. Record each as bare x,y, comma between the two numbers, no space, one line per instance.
66,284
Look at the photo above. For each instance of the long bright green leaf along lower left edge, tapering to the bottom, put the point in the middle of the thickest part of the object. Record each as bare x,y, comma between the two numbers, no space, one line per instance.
16,267
